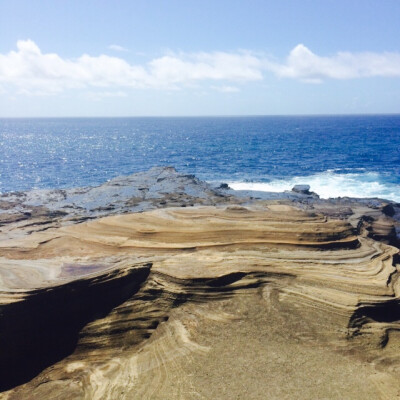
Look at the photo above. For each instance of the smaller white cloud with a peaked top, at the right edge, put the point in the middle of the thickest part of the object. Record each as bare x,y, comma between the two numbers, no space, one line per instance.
303,64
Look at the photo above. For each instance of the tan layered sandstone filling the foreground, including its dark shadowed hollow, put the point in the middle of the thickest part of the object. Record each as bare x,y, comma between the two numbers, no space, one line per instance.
230,301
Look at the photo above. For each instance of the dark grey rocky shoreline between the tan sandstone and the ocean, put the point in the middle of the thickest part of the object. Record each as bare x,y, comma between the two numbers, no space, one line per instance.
161,187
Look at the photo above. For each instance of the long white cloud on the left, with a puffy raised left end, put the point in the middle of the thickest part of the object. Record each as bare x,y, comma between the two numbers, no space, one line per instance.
30,70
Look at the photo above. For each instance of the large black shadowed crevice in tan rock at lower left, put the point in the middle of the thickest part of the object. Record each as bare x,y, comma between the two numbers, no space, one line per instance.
44,327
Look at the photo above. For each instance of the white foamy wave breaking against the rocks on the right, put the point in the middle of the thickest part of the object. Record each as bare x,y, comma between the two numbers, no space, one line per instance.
331,184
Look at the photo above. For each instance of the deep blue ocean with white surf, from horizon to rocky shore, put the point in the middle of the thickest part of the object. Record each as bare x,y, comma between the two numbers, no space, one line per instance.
336,155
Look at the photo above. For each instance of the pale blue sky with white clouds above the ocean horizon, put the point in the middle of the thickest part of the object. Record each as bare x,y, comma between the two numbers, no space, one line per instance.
110,58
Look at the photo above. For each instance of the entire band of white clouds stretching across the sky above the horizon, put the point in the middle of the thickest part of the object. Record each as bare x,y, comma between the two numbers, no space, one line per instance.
32,72
